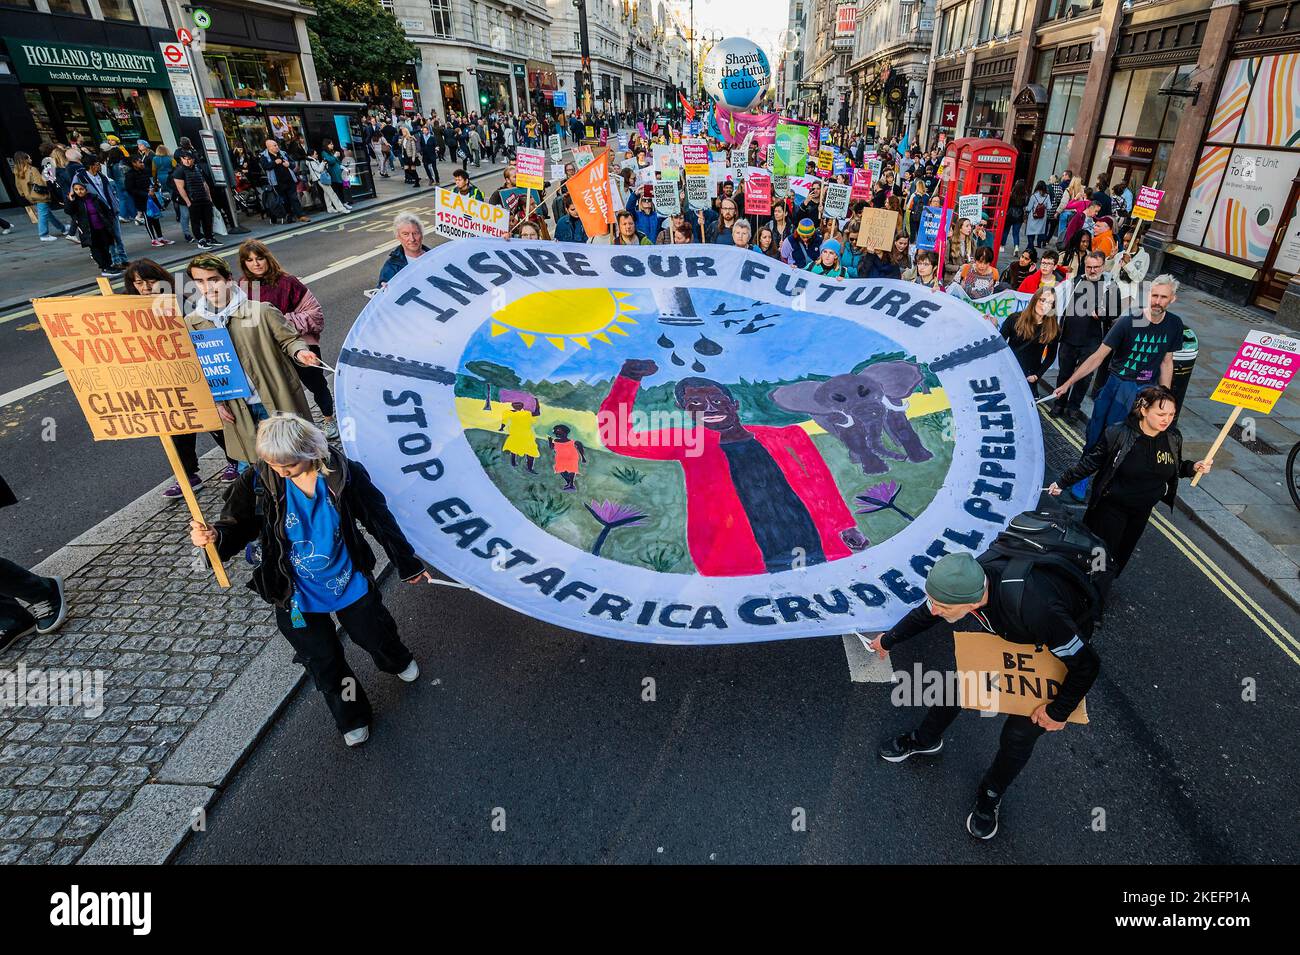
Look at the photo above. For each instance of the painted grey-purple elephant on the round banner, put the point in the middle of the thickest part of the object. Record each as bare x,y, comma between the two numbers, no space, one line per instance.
861,409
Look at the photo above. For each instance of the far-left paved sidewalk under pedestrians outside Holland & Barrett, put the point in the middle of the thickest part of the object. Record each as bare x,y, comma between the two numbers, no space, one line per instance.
36,268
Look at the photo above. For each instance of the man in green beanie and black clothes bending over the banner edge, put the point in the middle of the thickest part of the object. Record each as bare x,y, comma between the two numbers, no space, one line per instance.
1054,613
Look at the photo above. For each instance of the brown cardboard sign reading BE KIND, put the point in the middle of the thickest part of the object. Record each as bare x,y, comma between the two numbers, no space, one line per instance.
1003,678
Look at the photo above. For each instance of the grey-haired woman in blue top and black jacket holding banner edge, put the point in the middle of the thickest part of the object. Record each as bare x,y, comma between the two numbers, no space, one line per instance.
306,503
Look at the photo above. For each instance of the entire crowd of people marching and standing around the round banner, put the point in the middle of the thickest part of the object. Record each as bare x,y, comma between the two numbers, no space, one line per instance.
291,485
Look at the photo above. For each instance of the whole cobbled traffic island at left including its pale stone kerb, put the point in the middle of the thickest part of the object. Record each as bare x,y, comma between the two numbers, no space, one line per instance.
192,678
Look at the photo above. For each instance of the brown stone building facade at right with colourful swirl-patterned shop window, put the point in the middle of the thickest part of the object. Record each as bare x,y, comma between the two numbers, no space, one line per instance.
1197,98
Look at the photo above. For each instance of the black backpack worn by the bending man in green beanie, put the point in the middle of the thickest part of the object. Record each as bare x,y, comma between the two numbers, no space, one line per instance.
1054,542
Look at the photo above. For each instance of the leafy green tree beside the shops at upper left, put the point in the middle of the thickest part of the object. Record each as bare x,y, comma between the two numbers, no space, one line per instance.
358,42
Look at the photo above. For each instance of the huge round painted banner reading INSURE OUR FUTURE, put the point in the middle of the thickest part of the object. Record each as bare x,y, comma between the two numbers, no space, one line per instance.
696,446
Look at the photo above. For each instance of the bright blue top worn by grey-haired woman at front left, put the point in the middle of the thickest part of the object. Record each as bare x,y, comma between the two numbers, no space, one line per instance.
323,570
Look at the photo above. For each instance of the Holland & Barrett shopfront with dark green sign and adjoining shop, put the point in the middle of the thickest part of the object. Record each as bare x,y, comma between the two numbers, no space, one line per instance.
97,68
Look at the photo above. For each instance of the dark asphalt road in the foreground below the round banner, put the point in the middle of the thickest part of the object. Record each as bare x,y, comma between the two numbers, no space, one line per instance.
551,728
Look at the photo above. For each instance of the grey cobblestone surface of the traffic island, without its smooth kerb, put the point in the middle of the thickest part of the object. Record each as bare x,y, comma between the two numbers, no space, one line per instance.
168,643
